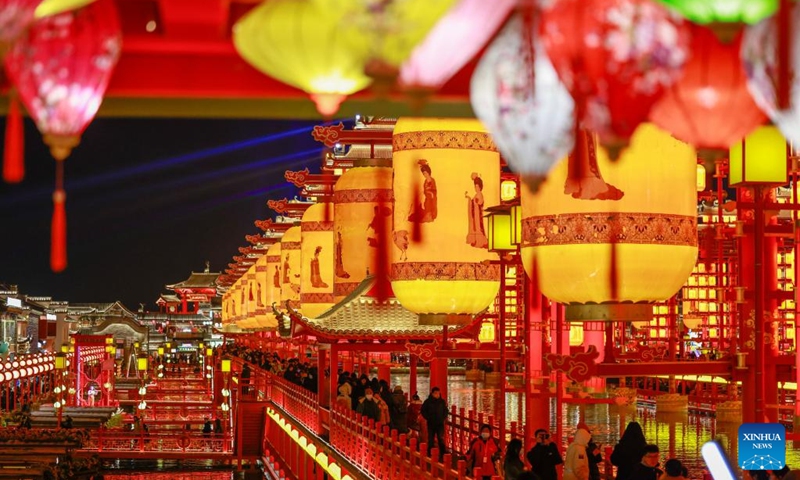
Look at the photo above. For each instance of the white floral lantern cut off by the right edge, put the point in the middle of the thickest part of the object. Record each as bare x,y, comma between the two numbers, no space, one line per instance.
760,60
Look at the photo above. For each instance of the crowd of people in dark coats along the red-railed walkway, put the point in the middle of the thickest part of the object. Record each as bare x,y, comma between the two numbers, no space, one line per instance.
376,399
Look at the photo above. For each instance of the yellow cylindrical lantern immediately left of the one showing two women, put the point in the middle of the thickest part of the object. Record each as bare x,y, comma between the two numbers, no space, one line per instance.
362,203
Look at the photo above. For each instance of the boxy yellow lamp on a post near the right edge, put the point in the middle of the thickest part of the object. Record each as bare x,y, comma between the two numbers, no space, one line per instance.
759,159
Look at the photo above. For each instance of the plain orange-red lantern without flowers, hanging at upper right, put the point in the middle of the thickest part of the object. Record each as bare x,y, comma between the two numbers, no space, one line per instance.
710,107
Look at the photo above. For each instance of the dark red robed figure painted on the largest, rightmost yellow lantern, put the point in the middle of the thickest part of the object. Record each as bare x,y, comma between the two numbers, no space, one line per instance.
584,180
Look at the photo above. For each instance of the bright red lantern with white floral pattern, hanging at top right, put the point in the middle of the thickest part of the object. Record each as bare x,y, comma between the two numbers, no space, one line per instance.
615,57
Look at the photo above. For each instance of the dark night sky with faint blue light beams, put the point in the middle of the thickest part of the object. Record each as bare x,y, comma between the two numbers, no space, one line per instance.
148,201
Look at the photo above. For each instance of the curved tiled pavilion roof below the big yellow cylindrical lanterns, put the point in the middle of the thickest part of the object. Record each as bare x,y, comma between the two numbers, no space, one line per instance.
362,316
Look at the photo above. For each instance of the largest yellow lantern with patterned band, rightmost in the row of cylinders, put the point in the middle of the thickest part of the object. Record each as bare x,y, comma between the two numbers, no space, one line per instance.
638,213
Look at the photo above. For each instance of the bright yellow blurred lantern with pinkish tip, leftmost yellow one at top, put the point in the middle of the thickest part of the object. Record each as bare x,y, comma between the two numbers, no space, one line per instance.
299,43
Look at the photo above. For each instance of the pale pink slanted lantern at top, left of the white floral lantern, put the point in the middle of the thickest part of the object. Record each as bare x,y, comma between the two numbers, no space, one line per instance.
453,41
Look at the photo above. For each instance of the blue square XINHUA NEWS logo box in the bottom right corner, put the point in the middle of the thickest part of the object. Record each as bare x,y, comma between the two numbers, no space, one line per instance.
762,446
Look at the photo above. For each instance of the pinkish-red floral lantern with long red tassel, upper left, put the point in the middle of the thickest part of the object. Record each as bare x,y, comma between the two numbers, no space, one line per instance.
61,70
